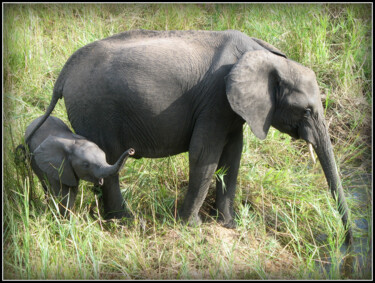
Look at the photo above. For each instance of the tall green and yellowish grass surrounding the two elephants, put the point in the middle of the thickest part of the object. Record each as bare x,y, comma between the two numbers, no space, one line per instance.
288,225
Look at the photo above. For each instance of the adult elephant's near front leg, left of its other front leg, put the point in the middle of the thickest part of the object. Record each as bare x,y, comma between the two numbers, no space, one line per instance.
204,154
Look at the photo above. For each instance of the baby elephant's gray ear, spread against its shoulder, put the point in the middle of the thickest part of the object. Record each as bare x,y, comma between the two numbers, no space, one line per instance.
52,157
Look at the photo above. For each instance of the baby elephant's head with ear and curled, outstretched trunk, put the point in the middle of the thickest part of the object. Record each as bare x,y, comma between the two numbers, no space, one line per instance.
69,160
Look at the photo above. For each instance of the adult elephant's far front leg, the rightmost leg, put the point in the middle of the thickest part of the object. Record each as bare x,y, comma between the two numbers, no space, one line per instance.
230,162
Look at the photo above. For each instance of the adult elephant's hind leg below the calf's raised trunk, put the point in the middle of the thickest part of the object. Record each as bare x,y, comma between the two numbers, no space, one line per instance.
113,202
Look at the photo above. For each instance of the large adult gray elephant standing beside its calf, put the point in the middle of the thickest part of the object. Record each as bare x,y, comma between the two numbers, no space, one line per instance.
178,91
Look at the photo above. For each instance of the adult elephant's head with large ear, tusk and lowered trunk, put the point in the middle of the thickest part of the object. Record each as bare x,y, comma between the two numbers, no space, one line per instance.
266,89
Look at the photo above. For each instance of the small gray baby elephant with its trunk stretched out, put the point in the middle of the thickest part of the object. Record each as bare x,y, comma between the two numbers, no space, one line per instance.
60,158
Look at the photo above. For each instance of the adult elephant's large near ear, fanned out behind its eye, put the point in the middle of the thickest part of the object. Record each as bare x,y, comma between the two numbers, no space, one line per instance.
251,87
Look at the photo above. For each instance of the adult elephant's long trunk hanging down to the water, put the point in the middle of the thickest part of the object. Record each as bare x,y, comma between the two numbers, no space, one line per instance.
324,150
